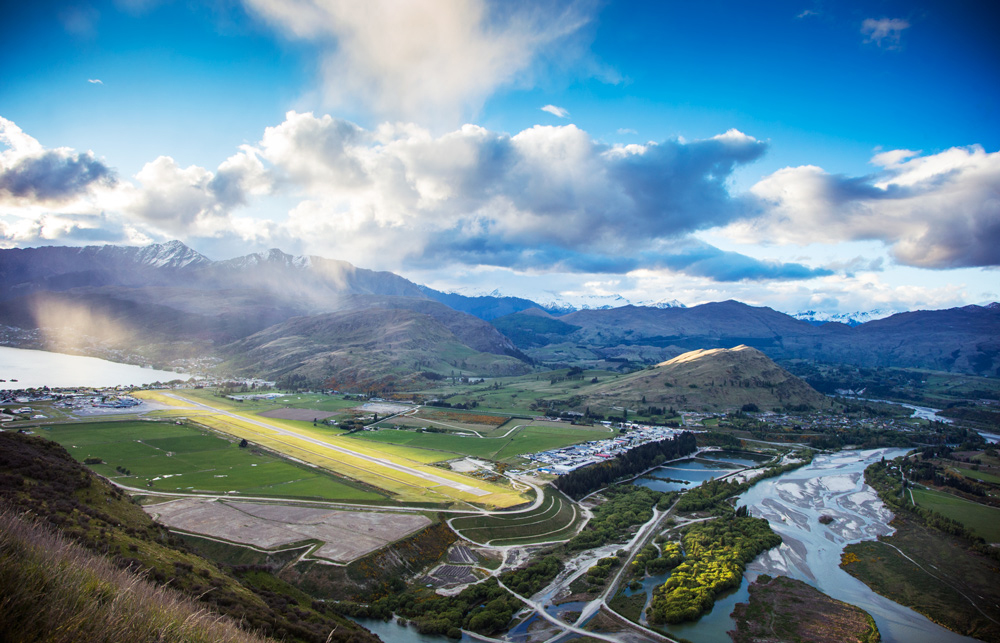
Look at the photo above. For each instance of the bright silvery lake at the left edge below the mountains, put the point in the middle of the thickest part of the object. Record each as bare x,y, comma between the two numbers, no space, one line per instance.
34,369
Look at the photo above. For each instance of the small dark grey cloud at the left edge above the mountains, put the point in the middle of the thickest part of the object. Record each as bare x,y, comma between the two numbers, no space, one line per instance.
54,175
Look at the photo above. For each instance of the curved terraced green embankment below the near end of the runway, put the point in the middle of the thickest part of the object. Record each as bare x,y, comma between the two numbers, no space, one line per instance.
555,519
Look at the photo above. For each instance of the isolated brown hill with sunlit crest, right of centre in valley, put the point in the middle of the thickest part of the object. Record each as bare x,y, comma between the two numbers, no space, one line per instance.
710,380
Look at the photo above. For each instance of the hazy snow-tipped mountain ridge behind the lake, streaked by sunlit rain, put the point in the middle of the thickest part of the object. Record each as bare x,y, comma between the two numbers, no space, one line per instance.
167,304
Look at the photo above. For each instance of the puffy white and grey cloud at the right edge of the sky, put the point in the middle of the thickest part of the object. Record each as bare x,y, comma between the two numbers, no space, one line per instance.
935,211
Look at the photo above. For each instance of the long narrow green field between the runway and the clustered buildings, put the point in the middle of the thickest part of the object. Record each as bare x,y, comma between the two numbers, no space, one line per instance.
528,439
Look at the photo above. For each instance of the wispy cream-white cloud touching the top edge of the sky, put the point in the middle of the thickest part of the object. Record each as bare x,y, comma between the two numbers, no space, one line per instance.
432,61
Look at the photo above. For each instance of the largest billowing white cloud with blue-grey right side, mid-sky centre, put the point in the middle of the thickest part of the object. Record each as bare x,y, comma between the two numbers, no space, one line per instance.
545,195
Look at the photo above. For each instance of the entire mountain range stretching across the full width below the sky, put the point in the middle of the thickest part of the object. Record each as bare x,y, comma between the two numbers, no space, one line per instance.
278,315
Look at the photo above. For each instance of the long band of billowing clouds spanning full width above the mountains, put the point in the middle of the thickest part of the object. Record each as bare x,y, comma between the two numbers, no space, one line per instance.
548,198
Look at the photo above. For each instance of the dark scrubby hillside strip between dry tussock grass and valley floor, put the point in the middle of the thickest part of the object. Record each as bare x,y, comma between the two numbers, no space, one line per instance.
39,478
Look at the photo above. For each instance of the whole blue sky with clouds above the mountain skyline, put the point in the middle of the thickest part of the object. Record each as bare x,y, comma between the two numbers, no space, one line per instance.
807,155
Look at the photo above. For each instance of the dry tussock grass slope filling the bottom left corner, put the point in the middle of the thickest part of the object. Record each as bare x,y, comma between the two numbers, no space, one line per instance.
53,590
